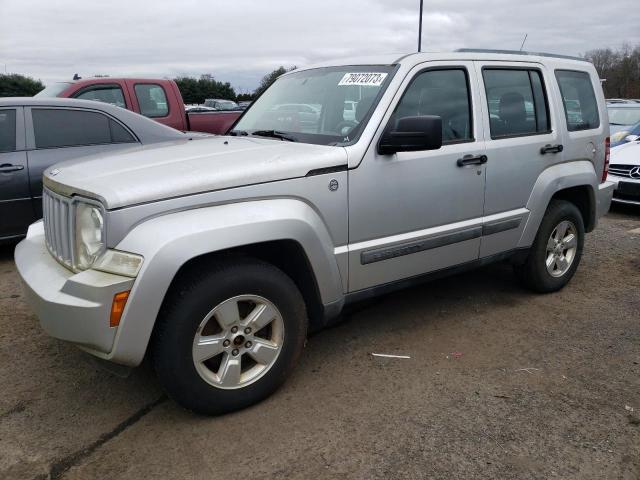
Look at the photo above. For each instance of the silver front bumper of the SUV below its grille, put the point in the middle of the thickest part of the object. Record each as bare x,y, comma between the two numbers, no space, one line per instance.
74,307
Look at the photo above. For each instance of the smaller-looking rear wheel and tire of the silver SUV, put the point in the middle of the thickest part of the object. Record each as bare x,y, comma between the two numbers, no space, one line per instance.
534,273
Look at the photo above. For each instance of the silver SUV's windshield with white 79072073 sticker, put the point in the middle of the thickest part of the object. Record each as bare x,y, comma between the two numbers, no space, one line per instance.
323,106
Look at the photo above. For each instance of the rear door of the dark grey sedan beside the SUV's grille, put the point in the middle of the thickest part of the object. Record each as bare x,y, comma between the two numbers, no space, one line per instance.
59,134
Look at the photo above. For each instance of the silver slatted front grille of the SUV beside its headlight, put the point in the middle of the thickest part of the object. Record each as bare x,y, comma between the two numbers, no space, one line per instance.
57,212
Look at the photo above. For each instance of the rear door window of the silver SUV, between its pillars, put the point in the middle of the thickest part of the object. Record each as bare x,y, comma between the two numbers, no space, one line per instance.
517,102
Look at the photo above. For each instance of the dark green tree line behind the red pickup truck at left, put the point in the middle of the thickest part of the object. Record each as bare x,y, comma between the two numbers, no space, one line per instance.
193,90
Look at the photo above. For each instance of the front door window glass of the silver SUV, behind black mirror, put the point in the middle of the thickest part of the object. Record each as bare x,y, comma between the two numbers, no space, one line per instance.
443,93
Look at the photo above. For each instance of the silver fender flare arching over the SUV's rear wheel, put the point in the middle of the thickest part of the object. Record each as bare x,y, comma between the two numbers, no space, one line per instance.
553,179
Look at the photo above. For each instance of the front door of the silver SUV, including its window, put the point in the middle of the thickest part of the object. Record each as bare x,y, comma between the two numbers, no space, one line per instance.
415,212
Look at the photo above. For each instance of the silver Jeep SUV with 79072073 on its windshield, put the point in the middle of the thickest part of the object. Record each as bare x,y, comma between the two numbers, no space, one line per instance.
217,256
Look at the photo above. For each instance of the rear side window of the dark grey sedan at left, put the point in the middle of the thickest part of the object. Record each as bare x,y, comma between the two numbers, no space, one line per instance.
68,128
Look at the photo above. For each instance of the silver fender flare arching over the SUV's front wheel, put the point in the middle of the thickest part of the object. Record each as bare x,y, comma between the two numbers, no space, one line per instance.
168,242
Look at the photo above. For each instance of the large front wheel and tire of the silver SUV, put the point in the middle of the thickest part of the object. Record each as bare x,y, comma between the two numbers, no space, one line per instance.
198,318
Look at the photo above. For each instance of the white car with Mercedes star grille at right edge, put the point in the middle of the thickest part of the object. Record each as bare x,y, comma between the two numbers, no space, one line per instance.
624,170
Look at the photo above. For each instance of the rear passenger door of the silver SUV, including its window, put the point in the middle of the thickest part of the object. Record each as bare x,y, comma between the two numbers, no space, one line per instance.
523,138
